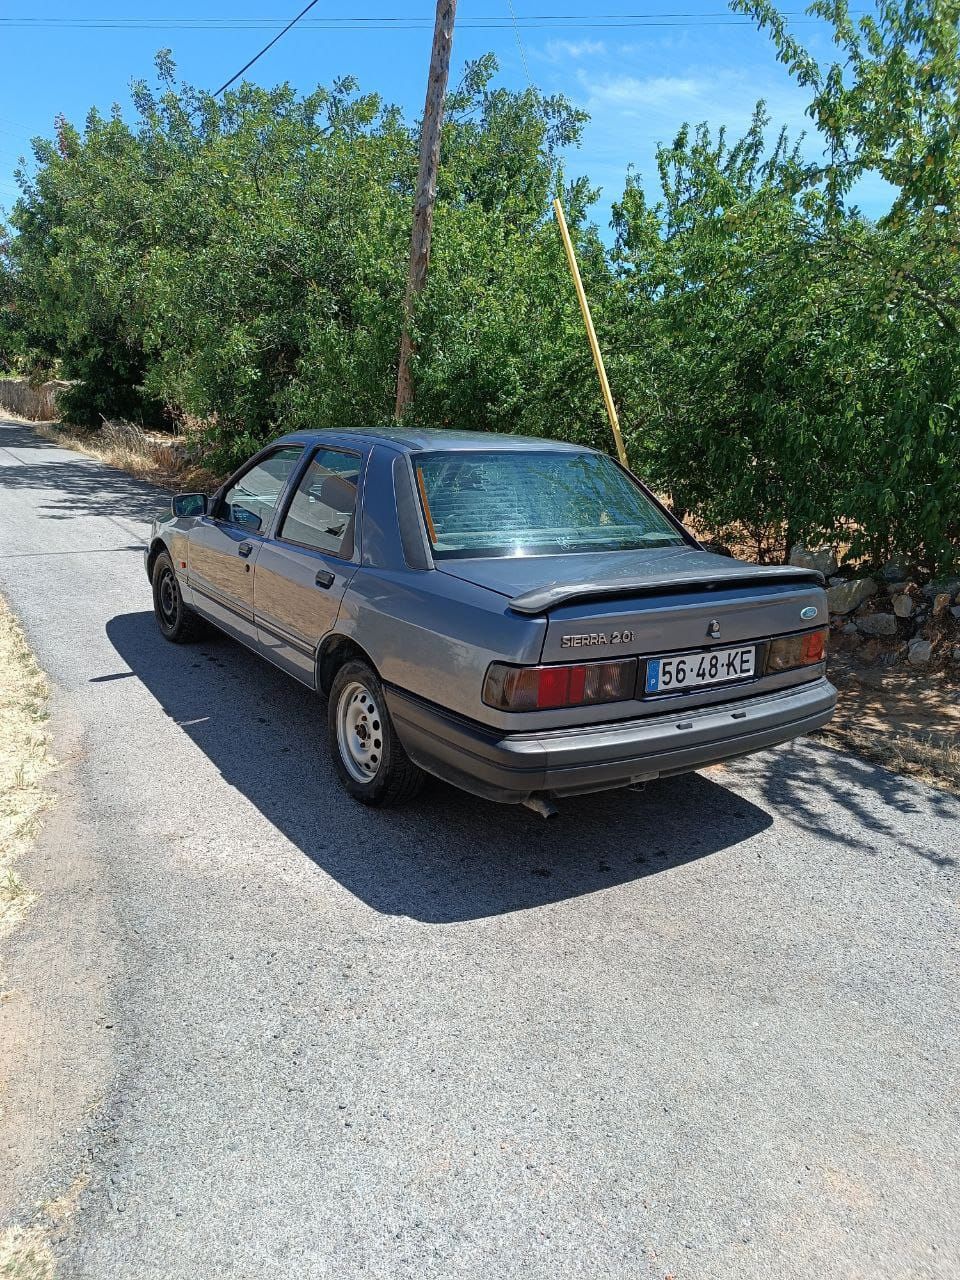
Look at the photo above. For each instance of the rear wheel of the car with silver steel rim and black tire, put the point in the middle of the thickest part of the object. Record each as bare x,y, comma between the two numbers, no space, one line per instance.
367,753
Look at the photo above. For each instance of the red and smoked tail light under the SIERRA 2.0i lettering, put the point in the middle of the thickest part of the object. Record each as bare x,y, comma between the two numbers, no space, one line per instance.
532,689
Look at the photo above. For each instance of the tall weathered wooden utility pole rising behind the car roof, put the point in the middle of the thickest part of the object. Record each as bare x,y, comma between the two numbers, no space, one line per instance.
427,188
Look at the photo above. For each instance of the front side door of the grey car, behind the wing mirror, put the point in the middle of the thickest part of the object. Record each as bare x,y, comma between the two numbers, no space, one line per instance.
225,547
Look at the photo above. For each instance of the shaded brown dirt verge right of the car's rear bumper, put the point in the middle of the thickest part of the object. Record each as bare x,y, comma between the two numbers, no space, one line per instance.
904,720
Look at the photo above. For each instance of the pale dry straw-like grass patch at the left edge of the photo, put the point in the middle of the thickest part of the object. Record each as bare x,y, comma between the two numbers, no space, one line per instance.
25,762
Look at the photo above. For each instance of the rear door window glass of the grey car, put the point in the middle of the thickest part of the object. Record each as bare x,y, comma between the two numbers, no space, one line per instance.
323,511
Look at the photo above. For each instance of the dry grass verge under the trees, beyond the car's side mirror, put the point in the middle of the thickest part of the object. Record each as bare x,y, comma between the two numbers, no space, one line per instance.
144,455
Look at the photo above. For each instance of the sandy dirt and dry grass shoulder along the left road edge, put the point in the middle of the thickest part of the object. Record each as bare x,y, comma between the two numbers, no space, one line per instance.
54,1063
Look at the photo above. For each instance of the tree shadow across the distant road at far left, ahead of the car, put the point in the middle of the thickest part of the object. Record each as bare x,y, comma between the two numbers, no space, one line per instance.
84,487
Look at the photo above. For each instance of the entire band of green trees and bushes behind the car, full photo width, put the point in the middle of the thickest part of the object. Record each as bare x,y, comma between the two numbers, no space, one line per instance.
785,368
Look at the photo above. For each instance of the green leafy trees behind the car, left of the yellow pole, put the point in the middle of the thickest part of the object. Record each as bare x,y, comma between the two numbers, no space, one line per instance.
244,262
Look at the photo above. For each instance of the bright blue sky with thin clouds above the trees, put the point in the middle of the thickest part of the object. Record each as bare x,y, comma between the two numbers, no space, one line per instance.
639,67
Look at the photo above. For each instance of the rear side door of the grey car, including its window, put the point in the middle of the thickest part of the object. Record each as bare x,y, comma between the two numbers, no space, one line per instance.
304,570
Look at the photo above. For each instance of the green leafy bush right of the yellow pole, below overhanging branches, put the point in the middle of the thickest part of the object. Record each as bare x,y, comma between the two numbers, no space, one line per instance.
797,385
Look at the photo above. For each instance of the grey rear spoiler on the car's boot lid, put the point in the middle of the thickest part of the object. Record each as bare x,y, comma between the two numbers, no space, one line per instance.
552,597
